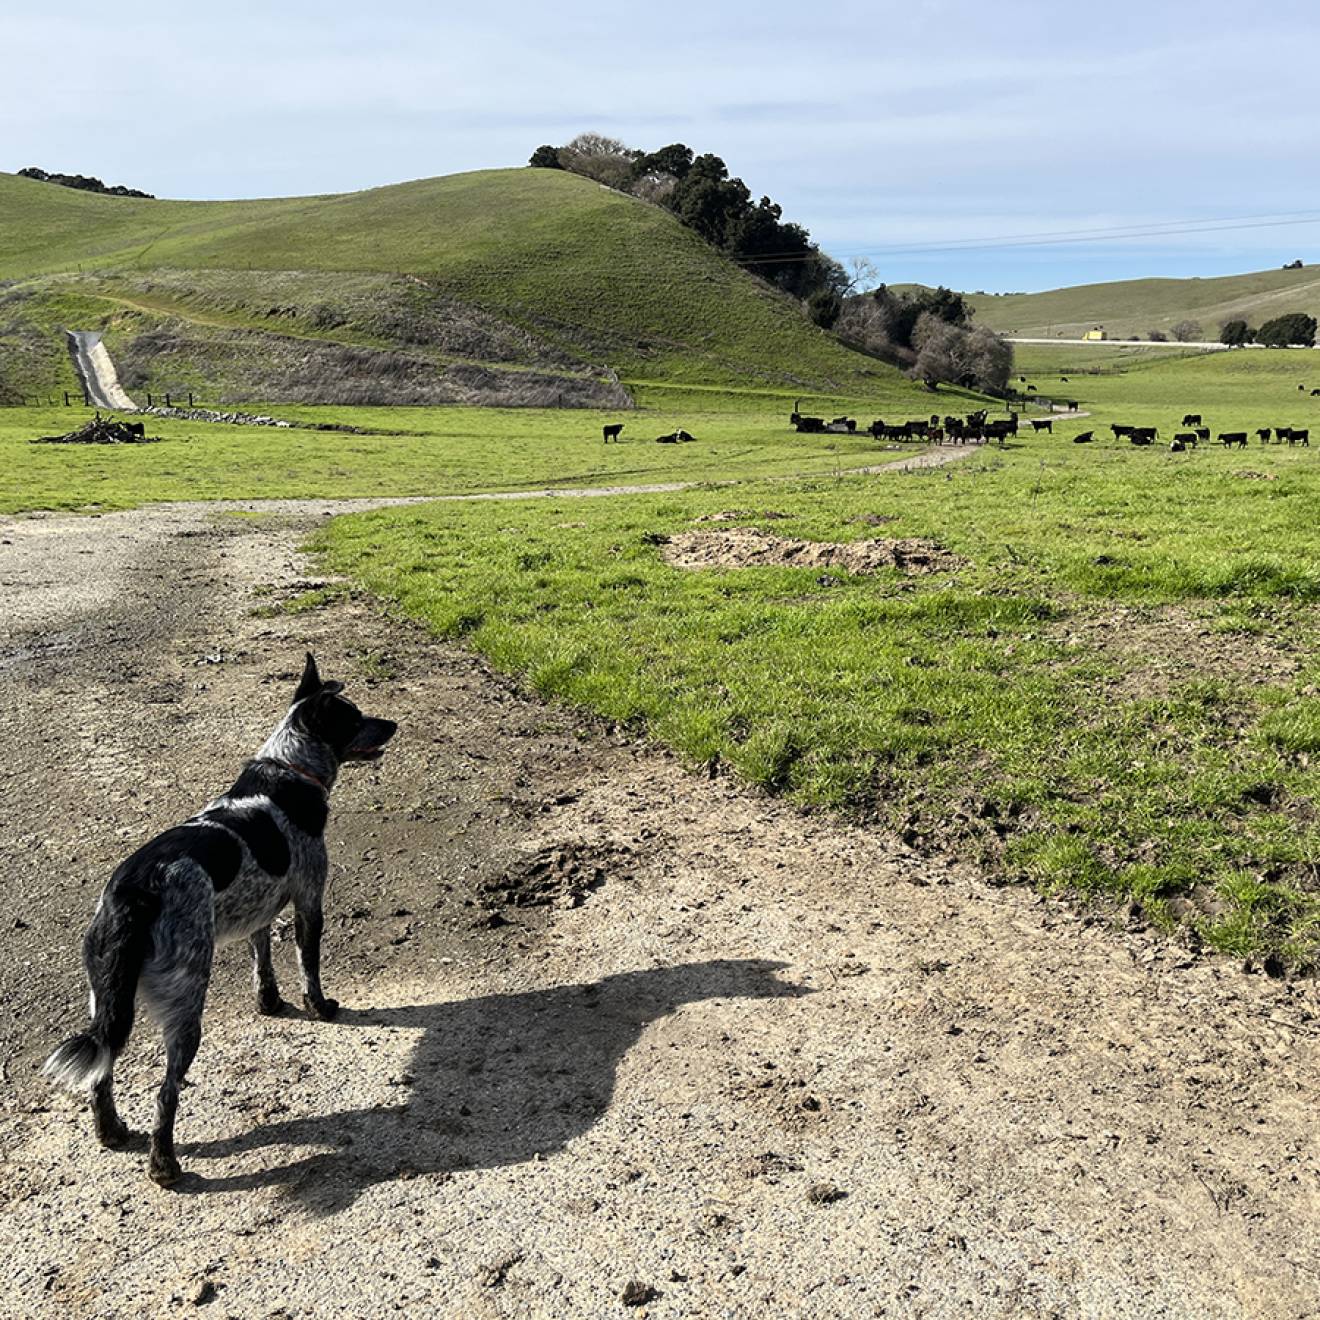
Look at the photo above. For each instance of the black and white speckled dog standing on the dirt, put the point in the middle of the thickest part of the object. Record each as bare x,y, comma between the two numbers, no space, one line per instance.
224,876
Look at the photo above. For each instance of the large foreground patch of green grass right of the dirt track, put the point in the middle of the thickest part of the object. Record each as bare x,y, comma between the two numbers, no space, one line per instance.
1115,694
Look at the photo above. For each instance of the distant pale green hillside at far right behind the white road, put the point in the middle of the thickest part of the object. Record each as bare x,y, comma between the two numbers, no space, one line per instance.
1137,307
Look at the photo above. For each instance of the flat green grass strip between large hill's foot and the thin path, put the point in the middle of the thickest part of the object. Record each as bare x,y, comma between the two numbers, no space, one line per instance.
438,452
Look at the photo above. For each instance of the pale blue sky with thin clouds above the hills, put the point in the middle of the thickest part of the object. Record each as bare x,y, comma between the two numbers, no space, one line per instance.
909,133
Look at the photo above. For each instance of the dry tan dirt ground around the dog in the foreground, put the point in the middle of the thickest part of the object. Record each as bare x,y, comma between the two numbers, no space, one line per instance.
610,1030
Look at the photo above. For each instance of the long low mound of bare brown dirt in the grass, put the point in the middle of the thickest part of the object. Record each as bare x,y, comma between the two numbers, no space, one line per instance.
746,547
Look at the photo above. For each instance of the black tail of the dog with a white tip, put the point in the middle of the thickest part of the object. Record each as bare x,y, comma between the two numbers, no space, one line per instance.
118,944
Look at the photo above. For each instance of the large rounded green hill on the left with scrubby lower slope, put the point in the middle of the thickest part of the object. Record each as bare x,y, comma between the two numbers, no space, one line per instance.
500,286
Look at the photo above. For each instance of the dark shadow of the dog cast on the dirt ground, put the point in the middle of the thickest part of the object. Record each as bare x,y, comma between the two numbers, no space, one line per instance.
493,1082
